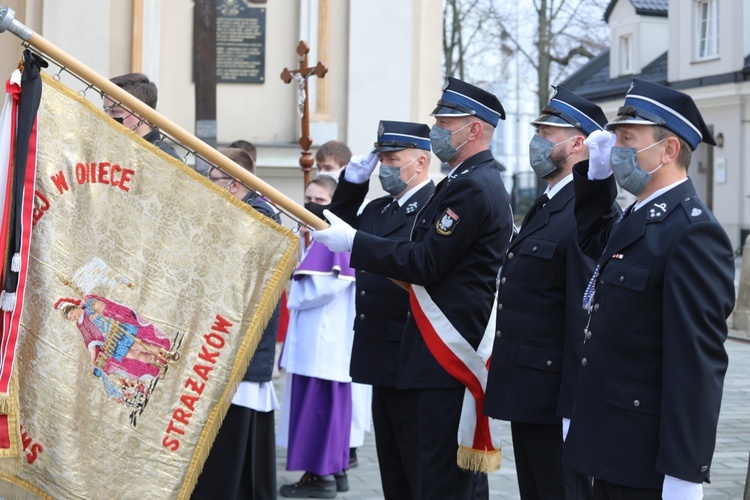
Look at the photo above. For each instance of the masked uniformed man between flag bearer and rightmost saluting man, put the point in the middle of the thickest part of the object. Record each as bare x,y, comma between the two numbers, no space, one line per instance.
543,270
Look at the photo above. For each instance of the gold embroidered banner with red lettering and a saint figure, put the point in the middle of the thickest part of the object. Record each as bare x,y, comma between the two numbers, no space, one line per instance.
148,289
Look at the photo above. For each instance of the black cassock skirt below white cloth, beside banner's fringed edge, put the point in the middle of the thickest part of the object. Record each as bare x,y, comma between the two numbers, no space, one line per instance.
242,461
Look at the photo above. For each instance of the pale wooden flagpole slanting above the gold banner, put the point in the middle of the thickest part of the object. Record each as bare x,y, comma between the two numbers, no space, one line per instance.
9,23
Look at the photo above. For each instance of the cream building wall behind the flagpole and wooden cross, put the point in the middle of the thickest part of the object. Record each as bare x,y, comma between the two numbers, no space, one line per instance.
383,62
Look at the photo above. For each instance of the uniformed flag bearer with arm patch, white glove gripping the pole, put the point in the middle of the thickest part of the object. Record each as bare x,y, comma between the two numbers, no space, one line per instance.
457,247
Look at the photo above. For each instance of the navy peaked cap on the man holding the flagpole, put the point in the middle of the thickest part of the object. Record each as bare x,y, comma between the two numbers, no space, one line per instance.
464,99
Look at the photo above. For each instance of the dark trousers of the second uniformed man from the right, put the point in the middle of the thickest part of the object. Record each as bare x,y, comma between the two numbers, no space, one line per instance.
538,453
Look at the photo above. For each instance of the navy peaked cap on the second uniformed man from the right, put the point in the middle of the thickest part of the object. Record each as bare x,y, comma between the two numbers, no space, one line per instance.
566,109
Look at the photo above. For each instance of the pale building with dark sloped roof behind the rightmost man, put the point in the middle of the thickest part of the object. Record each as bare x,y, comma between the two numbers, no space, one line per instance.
701,47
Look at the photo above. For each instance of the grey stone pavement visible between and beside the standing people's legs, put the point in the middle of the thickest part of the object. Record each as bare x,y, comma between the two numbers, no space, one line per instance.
728,471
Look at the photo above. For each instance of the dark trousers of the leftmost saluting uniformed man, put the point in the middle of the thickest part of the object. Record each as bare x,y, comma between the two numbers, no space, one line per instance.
395,419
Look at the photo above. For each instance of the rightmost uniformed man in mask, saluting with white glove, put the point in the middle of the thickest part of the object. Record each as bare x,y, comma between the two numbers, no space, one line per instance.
653,364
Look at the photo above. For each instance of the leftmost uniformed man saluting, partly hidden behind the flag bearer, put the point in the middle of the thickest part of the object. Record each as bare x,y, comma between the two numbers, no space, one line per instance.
403,149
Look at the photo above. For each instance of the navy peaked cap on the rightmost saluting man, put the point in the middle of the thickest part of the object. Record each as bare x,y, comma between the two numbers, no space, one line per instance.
648,103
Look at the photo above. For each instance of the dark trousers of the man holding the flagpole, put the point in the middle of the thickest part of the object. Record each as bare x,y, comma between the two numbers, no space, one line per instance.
440,477
